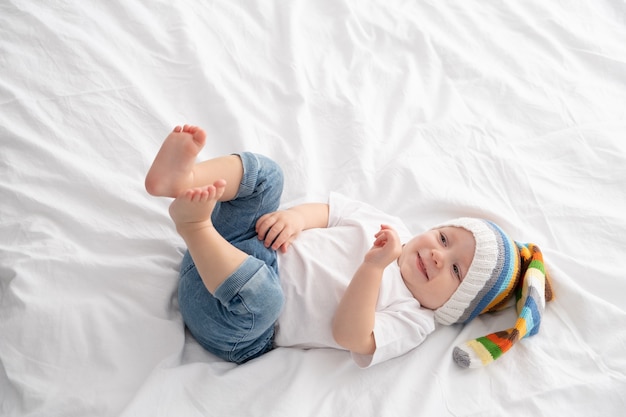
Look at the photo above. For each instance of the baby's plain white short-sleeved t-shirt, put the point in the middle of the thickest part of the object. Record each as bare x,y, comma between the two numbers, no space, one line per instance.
316,271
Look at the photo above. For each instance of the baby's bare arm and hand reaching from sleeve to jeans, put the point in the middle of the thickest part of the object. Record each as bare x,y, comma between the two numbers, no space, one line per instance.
280,228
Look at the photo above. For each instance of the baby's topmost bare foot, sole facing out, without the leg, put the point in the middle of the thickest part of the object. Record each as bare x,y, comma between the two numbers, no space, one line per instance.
172,170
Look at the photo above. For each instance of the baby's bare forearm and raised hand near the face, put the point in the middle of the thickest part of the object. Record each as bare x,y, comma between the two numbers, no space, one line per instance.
353,324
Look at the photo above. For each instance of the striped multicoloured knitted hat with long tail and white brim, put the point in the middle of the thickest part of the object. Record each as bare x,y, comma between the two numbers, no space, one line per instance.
500,269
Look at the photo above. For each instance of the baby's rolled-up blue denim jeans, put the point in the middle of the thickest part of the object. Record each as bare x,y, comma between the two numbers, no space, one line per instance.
237,322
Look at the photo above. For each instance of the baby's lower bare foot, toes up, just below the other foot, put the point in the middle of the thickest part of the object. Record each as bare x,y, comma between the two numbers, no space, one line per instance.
192,209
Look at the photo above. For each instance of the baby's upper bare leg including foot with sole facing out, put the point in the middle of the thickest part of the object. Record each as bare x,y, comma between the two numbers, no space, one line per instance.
174,169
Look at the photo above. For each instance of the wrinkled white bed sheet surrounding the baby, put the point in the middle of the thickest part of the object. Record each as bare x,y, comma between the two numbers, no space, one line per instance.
509,110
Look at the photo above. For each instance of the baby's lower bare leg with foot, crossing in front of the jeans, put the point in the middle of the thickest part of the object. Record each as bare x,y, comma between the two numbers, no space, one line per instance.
215,258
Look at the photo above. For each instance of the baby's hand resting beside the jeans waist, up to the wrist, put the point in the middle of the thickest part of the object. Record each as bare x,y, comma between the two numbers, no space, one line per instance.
279,228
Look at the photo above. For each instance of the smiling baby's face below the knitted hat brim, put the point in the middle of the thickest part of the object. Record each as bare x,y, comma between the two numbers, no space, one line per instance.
434,263
